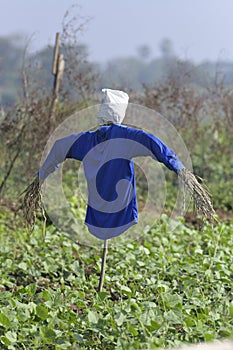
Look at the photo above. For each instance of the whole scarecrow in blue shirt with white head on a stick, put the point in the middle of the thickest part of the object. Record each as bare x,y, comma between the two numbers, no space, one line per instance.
107,154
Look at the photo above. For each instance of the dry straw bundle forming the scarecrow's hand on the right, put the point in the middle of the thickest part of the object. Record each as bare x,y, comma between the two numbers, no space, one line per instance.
198,193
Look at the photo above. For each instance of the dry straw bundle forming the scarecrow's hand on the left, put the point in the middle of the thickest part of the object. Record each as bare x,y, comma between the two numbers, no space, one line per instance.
32,202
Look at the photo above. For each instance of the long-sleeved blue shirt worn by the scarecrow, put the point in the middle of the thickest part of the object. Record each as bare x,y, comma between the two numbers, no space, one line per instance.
107,155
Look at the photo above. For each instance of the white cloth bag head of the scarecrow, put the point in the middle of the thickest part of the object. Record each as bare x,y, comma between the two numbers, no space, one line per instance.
113,106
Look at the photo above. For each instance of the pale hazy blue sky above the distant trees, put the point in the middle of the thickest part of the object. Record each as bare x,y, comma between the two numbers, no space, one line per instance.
199,29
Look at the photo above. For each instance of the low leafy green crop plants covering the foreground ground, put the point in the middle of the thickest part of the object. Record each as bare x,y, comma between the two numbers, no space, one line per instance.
169,287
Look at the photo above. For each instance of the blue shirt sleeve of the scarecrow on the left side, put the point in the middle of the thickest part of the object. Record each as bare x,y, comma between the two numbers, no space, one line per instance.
57,155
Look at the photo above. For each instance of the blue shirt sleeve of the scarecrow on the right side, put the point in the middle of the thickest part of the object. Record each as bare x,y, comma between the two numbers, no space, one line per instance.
158,150
